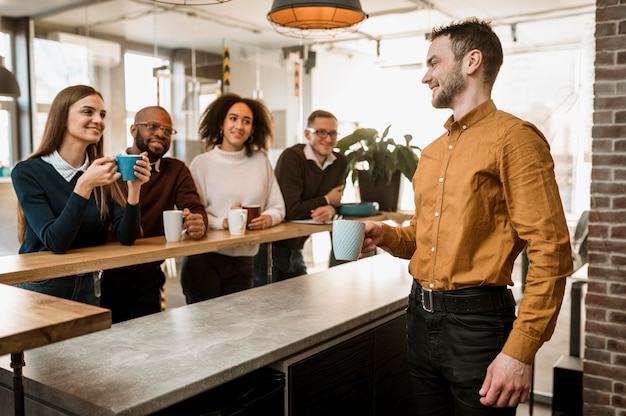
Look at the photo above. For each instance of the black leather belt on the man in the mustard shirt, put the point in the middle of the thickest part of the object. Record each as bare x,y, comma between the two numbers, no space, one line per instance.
472,300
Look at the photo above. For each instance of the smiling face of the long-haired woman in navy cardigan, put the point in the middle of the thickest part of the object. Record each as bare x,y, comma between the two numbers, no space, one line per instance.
85,120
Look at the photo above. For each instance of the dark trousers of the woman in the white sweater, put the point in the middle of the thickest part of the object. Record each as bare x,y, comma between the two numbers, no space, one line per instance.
209,275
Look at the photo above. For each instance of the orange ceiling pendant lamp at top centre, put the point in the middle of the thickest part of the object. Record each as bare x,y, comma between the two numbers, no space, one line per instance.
308,18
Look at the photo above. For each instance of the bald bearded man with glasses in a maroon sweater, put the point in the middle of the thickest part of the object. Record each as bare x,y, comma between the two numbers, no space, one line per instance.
135,291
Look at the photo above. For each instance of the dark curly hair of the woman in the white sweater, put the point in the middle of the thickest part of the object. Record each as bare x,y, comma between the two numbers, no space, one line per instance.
212,120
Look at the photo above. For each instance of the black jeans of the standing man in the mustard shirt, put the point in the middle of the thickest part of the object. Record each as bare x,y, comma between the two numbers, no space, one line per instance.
448,356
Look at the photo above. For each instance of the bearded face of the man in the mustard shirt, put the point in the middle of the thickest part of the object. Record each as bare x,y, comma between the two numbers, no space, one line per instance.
444,76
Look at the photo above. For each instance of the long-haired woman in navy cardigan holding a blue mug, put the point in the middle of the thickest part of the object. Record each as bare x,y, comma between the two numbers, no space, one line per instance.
68,191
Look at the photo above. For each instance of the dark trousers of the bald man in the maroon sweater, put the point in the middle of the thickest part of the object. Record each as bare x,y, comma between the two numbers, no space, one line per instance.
132,293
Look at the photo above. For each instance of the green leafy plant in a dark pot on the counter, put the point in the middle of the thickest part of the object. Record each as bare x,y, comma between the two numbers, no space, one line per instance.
378,162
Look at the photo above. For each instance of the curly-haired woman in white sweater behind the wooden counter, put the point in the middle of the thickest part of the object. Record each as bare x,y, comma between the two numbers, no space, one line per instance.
234,171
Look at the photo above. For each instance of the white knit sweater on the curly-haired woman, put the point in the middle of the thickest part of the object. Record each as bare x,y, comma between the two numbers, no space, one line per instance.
225,179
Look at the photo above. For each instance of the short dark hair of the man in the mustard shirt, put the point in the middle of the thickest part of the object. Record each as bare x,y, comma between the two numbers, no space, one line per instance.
470,34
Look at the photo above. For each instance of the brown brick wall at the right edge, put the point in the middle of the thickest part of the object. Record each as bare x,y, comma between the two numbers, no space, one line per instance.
604,379
